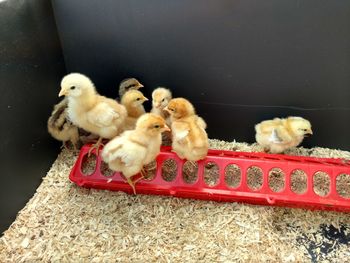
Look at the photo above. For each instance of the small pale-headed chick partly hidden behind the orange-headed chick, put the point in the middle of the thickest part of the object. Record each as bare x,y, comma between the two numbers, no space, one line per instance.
160,99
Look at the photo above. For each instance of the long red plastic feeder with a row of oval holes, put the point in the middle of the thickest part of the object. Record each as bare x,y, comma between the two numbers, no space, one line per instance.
265,195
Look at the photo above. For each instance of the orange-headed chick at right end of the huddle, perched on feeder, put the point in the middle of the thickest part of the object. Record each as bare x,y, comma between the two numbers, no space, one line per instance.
190,140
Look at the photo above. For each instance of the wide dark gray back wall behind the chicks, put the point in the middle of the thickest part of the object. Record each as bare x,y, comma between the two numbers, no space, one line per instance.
239,61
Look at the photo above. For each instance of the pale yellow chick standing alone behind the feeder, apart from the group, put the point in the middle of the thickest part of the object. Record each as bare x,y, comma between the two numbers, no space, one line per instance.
278,135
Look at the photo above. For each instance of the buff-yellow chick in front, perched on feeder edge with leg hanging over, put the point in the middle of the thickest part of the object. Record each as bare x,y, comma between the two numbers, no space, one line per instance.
132,150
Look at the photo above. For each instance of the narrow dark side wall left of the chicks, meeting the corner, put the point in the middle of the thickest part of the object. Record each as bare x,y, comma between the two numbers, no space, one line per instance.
30,70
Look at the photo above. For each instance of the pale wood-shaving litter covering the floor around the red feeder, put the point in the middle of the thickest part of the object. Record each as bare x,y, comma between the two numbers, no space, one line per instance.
66,223
